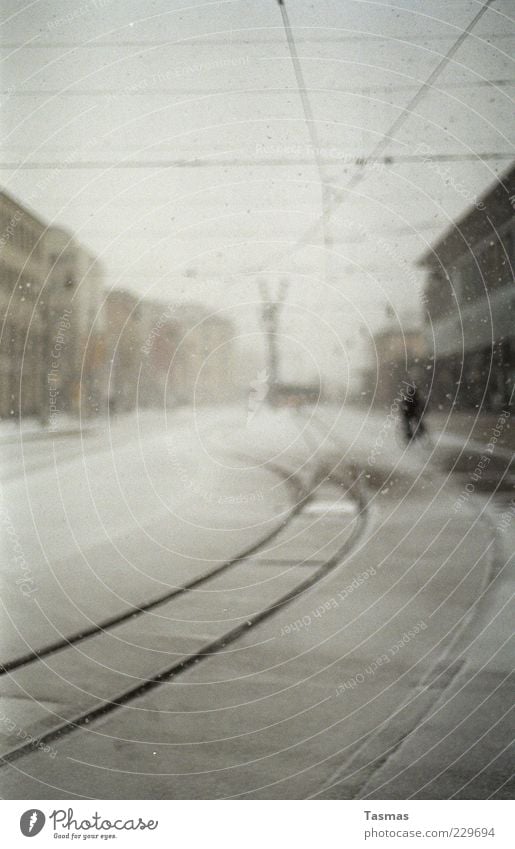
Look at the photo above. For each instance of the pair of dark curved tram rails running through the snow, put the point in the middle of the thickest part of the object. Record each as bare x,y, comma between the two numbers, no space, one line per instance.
93,707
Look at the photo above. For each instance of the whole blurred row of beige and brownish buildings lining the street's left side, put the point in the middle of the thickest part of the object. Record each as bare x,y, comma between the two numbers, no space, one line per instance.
68,348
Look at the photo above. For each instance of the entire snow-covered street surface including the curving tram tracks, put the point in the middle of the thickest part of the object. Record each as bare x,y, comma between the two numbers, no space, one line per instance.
215,617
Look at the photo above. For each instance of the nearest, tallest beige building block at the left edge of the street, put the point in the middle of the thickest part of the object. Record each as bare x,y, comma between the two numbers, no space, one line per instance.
51,342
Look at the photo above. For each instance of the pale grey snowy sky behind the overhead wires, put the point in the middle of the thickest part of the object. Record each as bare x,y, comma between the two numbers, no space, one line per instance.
123,96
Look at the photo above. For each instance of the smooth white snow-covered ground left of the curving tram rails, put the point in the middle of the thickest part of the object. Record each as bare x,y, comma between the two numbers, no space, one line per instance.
93,526
